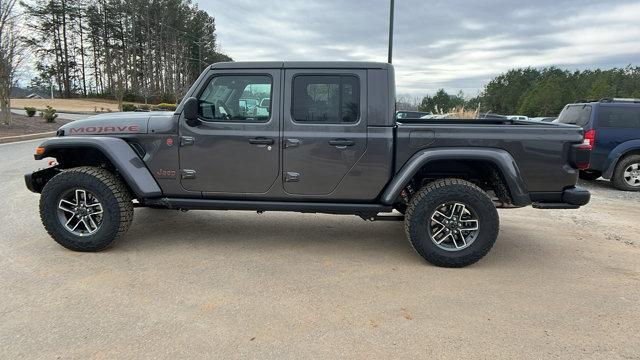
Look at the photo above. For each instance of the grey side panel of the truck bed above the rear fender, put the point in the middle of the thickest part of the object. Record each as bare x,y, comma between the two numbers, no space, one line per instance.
544,147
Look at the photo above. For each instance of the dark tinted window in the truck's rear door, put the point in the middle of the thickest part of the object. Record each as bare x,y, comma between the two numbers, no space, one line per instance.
326,99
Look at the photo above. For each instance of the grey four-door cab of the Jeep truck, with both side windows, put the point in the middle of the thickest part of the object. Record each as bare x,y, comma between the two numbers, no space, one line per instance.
314,140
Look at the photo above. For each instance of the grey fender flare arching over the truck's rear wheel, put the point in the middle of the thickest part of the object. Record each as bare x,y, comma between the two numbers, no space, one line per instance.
501,158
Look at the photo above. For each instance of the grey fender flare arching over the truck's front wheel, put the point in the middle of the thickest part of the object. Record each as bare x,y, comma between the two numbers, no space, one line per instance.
121,155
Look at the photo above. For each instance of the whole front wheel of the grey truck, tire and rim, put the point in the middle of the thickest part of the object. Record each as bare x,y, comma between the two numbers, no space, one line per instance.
85,208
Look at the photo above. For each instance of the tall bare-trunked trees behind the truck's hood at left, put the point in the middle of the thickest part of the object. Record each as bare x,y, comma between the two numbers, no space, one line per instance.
131,50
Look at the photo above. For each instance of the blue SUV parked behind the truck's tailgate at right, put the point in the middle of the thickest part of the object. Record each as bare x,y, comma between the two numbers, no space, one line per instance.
612,133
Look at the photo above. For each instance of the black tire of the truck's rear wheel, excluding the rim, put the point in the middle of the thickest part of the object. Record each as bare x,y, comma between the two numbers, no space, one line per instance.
427,200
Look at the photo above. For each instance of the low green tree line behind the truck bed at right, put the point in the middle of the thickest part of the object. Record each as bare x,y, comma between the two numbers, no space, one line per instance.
537,92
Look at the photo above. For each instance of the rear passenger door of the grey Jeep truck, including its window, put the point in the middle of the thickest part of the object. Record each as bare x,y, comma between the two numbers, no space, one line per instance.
324,128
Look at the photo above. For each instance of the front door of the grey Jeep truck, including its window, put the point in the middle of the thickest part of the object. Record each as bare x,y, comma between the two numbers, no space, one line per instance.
235,147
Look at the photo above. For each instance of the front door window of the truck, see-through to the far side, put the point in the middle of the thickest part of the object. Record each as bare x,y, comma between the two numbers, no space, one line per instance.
236,98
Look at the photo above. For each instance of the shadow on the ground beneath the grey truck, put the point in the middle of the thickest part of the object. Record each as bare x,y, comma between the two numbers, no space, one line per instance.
339,236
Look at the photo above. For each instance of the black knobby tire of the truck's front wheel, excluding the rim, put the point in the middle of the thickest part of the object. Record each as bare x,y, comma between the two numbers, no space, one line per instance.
113,195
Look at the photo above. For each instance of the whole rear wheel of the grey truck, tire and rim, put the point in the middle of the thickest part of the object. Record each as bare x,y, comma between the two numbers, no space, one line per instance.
451,223
